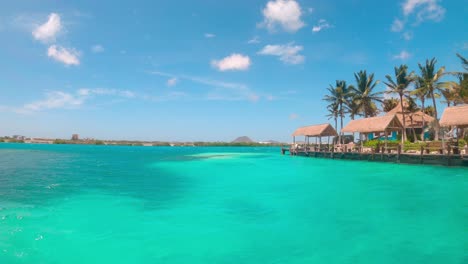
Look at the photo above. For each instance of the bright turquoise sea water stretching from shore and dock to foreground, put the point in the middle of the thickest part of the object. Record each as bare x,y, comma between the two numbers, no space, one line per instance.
103,204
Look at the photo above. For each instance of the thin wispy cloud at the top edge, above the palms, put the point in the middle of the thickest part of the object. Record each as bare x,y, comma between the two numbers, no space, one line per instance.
424,9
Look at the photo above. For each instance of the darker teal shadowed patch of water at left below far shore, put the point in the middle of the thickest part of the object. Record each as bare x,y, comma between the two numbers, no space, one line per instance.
38,177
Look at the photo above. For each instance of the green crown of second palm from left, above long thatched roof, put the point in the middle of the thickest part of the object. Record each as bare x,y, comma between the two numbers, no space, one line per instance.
364,94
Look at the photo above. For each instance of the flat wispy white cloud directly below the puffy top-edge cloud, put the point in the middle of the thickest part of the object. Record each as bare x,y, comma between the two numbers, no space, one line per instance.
288,53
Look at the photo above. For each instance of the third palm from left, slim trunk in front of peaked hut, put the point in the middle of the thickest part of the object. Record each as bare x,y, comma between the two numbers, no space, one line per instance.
400,87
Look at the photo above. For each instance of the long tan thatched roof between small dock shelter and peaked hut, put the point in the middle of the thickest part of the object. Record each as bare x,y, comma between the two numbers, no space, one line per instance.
374,124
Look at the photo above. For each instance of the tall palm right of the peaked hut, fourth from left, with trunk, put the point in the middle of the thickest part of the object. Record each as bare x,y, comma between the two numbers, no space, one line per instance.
431,80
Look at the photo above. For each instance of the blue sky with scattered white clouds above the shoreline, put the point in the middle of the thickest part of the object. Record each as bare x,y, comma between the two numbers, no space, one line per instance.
204,70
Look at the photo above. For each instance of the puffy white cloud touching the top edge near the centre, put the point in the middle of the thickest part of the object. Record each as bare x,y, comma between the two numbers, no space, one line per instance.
282,13
